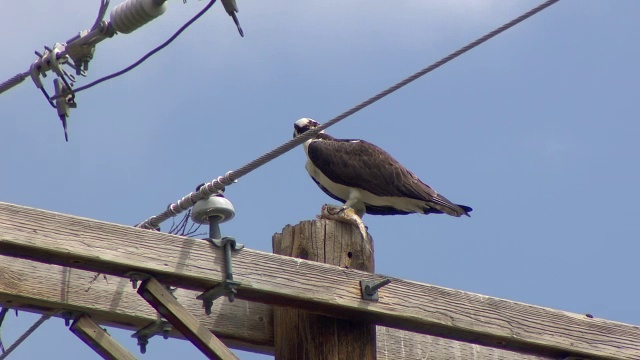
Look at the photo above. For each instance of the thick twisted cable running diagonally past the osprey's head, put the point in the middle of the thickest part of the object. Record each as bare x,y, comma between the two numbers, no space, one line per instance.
230,177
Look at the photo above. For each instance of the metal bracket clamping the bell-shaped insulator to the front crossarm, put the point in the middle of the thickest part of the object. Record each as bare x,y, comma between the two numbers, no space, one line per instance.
228,286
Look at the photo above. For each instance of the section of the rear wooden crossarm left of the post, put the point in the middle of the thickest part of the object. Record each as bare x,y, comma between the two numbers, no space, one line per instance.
111,301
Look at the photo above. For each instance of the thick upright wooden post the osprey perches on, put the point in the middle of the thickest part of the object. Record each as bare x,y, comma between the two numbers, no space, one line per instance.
303,335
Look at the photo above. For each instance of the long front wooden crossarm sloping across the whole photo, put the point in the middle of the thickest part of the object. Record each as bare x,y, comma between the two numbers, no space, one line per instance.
116,249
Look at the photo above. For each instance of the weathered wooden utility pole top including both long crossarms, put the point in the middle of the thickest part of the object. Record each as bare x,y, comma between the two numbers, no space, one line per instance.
414,320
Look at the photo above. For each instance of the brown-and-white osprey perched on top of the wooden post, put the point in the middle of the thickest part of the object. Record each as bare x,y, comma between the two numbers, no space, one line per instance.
367,179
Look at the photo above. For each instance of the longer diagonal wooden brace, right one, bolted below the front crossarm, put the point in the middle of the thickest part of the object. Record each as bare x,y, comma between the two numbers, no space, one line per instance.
182,320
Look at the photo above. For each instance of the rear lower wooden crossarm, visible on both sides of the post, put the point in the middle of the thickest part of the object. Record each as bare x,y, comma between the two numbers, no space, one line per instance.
33,286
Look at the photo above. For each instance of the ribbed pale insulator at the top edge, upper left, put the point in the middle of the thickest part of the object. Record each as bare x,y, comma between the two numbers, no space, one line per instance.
132,14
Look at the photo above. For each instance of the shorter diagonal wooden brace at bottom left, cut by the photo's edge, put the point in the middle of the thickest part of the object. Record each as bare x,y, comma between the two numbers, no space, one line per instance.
98,339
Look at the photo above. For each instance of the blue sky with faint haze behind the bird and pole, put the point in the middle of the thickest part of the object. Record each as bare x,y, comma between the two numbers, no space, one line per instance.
536,130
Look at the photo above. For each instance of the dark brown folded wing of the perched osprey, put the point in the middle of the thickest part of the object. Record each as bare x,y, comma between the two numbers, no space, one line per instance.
360,164
